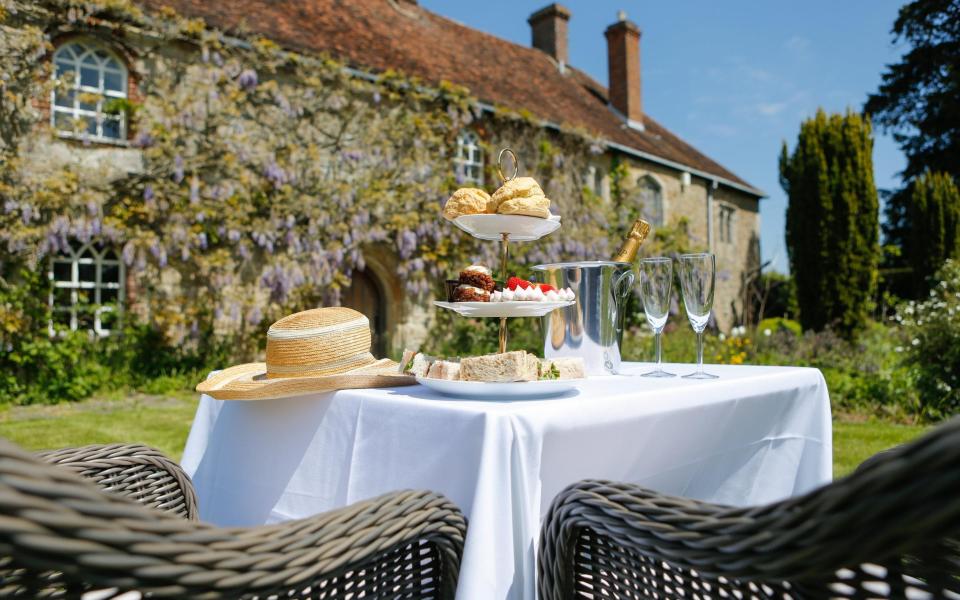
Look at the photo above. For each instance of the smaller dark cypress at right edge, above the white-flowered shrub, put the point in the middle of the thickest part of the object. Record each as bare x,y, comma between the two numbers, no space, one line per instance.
932,226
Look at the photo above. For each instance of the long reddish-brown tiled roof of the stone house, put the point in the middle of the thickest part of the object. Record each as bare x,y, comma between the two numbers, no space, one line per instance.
396,34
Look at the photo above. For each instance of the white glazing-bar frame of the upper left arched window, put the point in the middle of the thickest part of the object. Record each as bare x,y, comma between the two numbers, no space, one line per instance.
82,49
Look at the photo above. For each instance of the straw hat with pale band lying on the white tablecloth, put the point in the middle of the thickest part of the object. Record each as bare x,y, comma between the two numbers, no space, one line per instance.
315,350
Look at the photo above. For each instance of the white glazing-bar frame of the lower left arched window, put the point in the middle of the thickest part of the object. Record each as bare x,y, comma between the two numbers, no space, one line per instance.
75,258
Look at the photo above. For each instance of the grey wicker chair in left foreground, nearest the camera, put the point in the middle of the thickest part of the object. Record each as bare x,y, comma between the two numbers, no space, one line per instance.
61,536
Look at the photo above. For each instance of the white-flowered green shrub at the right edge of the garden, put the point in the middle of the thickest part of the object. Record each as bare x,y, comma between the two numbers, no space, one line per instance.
933,352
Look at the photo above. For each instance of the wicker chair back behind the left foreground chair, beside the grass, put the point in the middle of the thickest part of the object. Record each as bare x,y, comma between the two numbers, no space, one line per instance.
132,470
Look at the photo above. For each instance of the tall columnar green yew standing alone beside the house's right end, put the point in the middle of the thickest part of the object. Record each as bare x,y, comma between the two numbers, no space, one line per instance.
832,220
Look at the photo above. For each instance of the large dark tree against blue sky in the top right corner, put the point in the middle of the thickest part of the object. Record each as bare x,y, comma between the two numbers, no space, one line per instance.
919,99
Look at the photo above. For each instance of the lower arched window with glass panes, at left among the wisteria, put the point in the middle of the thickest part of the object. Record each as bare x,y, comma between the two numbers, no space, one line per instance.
86,289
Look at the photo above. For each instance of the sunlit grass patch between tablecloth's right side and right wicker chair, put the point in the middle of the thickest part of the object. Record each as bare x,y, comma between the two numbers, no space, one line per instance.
854,442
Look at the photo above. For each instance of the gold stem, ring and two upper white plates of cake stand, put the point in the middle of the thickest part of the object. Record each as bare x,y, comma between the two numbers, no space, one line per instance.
505,229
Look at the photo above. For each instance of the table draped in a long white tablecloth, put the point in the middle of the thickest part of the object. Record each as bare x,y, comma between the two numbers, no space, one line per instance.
756,435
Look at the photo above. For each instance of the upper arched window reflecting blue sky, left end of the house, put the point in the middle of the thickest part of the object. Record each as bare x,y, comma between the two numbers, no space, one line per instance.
88,100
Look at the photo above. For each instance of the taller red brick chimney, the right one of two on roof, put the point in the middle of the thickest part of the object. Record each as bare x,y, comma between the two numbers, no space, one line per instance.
623,67
